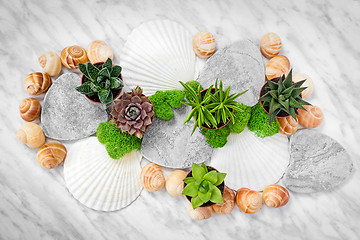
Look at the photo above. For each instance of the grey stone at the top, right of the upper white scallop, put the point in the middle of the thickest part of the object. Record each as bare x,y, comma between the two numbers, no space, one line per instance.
238,65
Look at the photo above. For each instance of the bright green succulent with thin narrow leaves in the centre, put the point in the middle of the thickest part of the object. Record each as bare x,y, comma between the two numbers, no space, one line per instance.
212,108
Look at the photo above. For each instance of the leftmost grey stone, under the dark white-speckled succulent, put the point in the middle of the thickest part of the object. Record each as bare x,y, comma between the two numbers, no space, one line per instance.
68,115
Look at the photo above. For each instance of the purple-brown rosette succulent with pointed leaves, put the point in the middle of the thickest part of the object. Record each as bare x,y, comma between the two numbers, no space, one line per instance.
133,112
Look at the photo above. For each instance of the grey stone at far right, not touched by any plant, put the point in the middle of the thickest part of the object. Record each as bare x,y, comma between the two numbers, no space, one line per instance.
317,162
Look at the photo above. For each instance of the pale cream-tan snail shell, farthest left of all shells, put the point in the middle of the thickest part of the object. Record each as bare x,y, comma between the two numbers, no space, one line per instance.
31,134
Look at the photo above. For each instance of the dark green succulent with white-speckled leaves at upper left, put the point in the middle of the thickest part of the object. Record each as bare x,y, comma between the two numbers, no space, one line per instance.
101,82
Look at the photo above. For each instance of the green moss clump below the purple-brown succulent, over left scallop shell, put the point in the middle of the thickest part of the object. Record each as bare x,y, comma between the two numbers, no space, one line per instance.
117,143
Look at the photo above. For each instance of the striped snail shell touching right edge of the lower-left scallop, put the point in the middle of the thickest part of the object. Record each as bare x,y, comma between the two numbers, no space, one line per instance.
152,178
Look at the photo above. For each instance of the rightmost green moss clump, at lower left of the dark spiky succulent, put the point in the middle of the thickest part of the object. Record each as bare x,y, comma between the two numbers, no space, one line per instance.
259,122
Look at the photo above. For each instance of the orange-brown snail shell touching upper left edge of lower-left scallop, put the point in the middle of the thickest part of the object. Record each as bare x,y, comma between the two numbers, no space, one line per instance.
51,154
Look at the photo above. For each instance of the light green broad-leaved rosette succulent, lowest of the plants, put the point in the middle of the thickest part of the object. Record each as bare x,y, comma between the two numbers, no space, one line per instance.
202,186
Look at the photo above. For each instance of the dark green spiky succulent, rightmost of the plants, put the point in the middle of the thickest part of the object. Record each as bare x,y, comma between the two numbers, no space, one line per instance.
283,96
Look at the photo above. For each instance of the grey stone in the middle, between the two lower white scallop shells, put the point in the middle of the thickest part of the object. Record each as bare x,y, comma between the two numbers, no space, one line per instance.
170,144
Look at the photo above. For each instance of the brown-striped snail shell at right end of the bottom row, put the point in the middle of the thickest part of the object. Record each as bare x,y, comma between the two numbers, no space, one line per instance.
275,196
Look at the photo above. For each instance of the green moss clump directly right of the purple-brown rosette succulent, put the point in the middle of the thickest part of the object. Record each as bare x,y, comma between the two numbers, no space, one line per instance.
163,101
